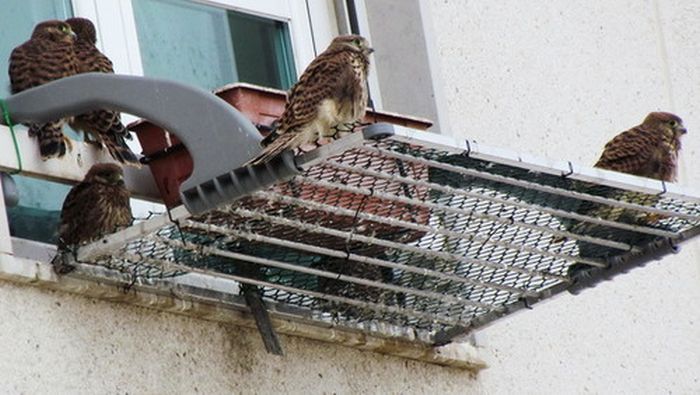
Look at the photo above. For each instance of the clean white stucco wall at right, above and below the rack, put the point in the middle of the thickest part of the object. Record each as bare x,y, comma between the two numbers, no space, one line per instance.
559,79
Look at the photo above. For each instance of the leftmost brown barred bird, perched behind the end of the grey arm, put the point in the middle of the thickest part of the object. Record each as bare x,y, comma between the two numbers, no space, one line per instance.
48,55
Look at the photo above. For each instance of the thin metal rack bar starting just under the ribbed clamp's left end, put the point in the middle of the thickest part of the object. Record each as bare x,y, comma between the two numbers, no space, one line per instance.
353,257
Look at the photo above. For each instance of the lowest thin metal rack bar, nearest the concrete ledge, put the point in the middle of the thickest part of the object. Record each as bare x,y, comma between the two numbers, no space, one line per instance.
339,299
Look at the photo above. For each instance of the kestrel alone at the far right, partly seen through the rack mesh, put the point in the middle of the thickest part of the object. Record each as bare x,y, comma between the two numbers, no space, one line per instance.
647,150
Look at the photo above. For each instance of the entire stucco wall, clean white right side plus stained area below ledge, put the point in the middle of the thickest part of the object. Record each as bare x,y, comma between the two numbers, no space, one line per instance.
556,79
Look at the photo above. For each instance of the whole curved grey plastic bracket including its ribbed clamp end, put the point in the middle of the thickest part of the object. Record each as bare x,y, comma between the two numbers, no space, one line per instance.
218,137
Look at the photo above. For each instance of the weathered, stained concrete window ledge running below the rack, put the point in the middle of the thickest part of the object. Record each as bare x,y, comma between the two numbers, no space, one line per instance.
179,298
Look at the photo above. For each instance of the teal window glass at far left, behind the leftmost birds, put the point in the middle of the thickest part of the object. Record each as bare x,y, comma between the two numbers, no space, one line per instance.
37,214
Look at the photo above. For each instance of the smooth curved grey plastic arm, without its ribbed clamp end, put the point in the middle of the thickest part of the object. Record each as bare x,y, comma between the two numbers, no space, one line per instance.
218,137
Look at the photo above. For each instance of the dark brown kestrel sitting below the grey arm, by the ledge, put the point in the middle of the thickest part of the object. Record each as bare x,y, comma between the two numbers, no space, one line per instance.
97,206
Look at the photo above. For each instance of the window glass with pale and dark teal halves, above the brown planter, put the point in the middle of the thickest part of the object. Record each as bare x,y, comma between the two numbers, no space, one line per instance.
210,46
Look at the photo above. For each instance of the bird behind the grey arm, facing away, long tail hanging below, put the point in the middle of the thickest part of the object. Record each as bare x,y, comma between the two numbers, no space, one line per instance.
103,126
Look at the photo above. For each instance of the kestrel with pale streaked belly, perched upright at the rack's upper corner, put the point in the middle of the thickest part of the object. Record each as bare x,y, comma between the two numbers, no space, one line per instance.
332,91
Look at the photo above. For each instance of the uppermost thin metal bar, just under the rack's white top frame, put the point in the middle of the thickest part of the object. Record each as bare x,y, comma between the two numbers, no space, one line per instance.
529,185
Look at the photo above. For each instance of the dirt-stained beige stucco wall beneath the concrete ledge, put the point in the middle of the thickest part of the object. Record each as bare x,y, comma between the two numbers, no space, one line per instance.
57,343
